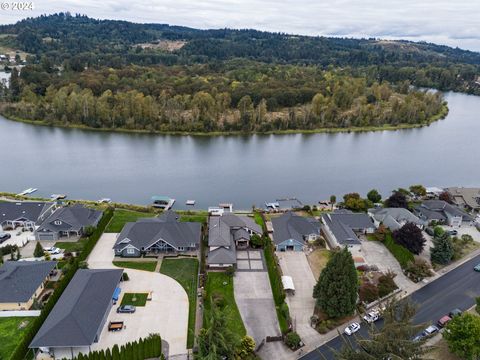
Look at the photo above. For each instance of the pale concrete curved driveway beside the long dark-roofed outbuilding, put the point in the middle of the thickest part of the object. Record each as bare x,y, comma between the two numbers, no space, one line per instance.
166,314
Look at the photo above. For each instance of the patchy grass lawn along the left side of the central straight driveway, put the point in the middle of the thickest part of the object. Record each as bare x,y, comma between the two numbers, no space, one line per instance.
215,285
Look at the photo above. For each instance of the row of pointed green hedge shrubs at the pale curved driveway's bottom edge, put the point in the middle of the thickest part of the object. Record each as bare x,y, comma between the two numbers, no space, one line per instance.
148,348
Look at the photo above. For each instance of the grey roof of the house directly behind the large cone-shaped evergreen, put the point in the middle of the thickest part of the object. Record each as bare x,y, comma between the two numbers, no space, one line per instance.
342,224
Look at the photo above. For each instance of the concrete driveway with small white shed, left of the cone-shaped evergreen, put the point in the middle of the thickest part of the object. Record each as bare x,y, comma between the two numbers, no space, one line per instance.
302,304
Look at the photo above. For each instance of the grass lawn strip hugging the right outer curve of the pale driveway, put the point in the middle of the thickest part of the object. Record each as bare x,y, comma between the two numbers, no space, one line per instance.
185,272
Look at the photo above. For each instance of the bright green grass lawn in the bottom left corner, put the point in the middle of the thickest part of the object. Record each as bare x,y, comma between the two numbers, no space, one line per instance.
11,332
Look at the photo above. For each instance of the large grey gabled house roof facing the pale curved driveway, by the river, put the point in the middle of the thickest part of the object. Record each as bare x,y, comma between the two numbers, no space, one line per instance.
146,232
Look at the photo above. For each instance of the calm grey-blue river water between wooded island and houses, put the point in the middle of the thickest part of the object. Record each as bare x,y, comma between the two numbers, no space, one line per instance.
242,170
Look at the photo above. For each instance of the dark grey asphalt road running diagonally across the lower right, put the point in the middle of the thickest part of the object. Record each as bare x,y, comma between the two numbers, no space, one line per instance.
456,289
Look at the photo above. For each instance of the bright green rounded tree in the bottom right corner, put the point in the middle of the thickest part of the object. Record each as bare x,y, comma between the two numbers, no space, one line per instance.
462,335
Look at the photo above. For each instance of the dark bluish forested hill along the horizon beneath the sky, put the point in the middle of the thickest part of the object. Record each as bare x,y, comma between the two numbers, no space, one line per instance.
66,36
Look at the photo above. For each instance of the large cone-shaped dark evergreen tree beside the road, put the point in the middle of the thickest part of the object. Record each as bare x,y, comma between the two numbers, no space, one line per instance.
337,287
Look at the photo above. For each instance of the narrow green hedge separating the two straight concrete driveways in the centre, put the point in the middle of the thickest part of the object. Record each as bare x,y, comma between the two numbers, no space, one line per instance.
275,277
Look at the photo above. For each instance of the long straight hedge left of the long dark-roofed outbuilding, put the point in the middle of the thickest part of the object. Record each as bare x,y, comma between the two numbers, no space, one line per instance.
22,348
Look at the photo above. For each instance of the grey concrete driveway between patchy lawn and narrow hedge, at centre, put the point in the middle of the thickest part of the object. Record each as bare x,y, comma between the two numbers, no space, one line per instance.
254,299
